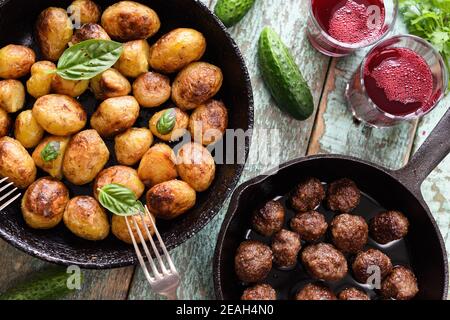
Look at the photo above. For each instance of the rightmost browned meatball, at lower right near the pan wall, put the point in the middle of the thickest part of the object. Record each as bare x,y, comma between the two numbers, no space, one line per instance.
401,284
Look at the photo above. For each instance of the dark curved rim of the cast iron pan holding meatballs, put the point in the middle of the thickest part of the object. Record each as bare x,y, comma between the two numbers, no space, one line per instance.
235,202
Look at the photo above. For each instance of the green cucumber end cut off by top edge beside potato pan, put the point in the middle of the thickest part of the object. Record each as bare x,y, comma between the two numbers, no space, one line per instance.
231,12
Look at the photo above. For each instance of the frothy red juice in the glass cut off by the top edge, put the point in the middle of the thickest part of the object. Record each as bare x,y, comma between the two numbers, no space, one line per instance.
350,21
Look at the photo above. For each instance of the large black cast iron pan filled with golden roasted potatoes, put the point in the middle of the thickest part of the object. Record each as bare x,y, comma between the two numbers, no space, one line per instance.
108,130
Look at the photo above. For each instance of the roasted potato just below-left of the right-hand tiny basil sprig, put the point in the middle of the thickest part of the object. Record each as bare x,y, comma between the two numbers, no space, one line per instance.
131,145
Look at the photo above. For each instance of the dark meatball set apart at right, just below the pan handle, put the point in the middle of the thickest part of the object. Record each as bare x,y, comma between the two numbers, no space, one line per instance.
389,226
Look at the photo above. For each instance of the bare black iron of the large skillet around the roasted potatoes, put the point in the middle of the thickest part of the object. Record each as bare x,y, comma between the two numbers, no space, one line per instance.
59,245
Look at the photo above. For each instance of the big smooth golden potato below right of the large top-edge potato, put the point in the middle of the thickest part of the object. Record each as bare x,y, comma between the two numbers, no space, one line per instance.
177,49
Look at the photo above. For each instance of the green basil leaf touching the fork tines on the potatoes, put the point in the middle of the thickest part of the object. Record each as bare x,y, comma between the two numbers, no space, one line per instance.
119,200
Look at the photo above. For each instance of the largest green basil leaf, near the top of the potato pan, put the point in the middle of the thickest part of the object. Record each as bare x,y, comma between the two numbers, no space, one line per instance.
89,58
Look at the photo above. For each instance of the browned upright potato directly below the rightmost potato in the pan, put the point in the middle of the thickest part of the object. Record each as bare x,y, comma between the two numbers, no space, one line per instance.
196,166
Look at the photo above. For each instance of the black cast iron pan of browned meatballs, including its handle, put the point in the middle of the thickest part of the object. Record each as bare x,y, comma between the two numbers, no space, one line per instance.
329,227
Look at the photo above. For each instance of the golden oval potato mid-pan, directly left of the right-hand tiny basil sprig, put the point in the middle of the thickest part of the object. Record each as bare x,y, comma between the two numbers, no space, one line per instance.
115,115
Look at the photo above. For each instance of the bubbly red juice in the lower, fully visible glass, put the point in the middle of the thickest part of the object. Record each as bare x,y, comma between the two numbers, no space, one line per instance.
399,81
